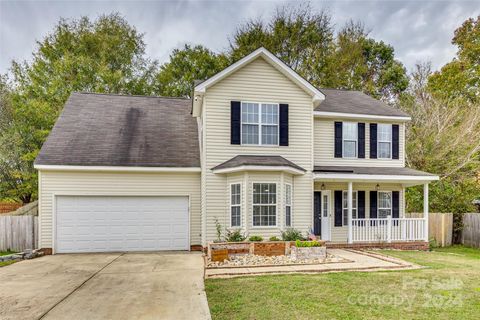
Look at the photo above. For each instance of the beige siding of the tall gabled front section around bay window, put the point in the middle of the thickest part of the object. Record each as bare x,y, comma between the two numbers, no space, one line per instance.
257,81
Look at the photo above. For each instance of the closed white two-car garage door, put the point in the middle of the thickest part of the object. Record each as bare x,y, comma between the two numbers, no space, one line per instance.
108,224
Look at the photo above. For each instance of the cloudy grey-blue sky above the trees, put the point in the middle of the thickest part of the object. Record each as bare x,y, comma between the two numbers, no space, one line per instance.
418,30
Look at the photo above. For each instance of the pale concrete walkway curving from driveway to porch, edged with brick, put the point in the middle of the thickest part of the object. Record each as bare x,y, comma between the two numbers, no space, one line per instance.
359,261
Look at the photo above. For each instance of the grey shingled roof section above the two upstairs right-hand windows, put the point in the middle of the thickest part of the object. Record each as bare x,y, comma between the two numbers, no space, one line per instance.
346,101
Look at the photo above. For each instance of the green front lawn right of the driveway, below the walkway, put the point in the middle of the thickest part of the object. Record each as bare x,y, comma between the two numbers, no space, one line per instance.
449,288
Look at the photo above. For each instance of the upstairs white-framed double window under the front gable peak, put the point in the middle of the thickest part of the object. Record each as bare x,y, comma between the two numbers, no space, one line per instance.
260,123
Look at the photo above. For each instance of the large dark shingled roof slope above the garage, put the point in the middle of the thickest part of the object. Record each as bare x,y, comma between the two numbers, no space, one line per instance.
118,130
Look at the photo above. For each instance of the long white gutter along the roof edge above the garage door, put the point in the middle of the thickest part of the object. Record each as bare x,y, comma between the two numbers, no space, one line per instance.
115,168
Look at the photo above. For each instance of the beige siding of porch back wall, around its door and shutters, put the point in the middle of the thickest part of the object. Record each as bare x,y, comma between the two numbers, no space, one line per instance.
339,234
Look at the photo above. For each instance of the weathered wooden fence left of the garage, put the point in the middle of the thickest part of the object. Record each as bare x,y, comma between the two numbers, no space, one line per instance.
18,233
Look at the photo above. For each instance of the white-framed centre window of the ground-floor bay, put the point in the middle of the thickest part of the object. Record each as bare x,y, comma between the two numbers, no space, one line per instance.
264,204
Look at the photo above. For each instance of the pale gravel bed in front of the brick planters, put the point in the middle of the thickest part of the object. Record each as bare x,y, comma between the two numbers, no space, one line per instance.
249,260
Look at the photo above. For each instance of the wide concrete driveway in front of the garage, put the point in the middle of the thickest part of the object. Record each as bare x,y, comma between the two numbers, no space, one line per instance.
105,286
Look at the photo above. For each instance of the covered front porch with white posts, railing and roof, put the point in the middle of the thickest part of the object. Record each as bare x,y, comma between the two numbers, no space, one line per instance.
361,206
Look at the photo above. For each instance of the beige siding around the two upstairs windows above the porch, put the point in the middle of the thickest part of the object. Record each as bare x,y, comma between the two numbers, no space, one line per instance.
324,146
